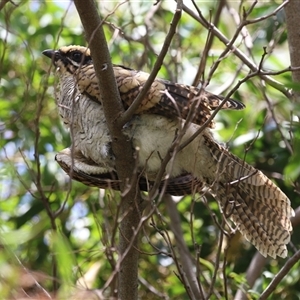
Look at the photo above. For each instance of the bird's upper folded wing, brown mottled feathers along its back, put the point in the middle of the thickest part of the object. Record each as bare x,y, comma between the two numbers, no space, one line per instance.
163,98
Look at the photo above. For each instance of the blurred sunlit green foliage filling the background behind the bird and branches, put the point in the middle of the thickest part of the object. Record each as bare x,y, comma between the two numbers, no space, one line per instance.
65,229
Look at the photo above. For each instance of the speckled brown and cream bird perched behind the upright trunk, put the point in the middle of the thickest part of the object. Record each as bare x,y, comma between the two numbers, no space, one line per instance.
260,210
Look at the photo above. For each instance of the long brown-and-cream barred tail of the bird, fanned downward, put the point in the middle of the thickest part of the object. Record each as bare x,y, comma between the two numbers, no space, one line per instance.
257,206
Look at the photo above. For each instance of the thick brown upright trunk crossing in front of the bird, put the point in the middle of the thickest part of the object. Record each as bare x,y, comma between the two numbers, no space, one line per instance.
122,149
